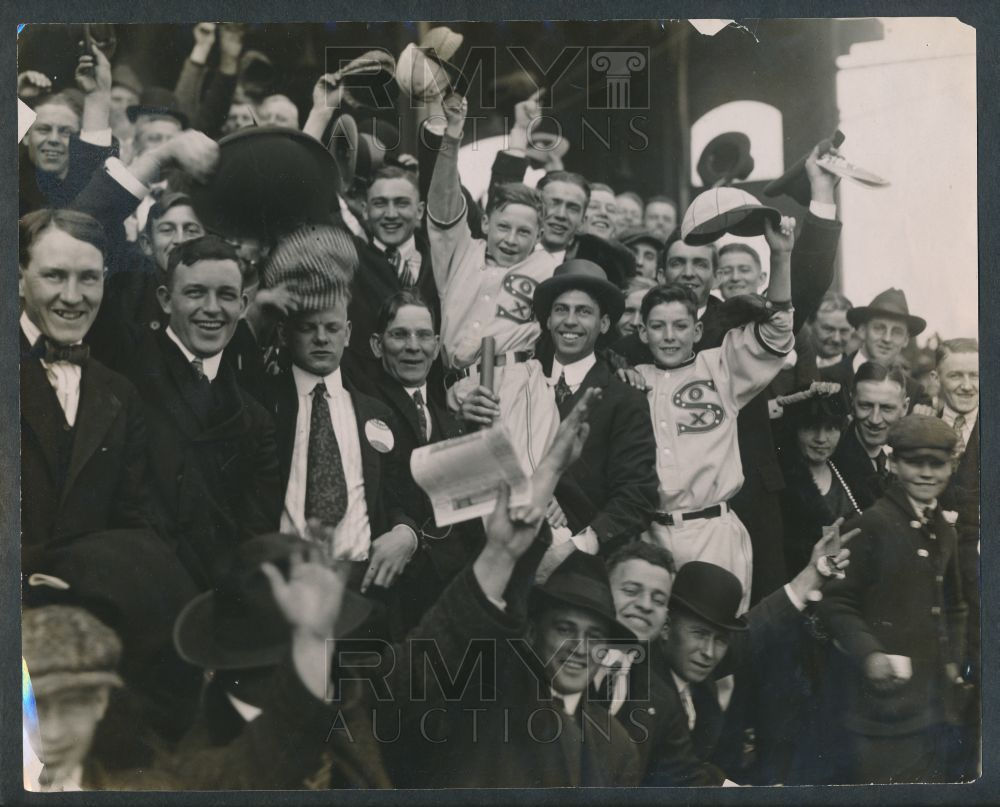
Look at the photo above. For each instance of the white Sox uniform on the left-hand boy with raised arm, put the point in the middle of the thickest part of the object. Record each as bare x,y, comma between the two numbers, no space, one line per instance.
479,300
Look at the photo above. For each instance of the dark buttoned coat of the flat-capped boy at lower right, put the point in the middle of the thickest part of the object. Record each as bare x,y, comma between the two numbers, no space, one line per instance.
902,595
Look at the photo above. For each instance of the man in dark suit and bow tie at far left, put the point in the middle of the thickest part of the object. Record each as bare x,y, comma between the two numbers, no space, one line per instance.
83,436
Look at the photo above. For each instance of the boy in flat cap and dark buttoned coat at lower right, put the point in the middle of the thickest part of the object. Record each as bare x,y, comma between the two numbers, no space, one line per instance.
899,614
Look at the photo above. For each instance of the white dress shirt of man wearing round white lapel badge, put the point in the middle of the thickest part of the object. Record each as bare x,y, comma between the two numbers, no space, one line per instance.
352,536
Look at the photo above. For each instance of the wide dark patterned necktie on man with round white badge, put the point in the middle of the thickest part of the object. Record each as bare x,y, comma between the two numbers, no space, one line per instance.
326,485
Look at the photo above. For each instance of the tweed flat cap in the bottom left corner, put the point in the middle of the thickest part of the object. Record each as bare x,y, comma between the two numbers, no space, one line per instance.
66,647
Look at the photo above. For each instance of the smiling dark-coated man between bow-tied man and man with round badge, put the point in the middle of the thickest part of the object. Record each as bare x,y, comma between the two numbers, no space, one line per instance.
211,445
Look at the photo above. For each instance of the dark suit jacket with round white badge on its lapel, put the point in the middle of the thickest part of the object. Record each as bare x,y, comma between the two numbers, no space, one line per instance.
384,474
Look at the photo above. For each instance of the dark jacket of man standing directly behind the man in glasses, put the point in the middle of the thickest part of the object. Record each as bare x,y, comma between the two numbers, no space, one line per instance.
375,281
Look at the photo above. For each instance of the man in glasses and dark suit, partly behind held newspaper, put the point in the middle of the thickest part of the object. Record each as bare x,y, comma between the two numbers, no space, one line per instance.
407,344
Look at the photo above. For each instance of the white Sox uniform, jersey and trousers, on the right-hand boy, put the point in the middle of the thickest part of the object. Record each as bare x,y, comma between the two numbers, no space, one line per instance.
694,409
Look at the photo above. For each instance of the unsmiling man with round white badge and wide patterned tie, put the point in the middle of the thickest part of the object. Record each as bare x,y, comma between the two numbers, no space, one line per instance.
340,460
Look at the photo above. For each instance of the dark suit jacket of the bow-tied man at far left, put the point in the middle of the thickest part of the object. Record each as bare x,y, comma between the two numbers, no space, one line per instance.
100,483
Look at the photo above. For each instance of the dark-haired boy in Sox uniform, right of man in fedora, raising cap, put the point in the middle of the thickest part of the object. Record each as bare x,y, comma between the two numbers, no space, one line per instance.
694,400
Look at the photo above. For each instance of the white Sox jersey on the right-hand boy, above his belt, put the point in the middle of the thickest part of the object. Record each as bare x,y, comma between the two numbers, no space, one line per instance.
694,409
